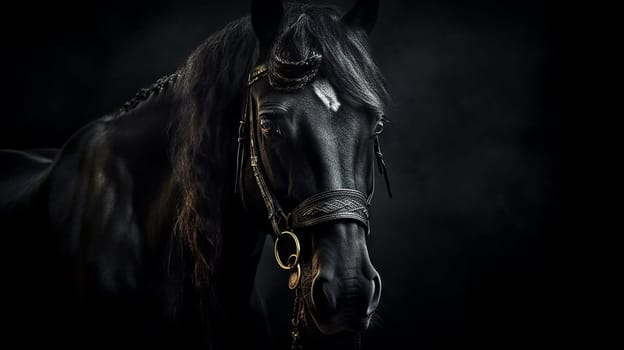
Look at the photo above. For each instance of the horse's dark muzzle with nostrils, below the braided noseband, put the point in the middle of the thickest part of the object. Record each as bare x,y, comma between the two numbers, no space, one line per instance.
346,288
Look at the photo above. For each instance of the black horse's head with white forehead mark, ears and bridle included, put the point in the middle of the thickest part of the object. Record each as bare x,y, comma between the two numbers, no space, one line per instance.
314,111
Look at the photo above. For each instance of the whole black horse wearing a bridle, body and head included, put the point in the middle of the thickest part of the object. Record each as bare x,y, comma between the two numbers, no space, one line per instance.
146,226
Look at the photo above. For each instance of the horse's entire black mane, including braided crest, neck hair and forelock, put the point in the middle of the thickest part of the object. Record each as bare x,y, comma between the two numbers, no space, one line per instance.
209,89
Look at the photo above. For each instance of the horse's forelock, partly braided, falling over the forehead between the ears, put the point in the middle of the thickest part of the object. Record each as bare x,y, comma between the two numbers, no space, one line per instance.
315,41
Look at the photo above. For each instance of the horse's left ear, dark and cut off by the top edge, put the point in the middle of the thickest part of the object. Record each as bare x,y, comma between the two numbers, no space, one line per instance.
266,16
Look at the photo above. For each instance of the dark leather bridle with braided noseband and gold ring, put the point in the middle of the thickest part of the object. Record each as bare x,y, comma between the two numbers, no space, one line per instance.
336,204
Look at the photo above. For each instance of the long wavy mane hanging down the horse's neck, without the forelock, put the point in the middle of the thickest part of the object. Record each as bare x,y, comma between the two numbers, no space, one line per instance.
210,95
